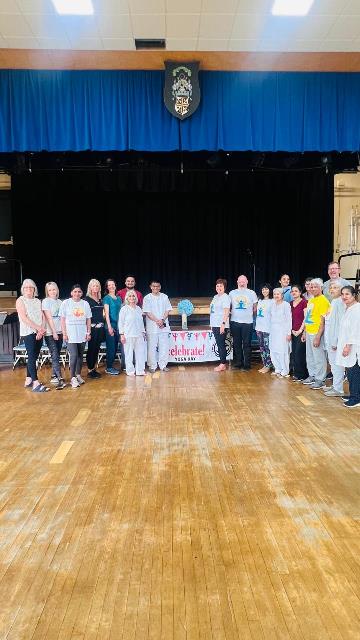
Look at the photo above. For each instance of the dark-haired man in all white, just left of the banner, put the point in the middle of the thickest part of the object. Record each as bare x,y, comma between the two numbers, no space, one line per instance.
156,307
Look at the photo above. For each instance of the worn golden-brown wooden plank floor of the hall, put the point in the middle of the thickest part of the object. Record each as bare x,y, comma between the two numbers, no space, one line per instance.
184,505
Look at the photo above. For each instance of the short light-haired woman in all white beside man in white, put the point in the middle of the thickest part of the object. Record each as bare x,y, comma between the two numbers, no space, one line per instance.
132,332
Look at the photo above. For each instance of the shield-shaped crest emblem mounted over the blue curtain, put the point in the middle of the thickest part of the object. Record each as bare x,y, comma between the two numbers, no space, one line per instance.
182,90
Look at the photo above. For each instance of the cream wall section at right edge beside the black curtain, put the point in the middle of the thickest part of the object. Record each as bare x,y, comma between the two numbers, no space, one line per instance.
347,195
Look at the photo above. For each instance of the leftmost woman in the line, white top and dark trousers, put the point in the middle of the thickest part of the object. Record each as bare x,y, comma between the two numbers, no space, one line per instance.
32,329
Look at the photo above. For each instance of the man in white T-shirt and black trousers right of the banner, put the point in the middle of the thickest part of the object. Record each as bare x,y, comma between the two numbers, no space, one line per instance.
243,309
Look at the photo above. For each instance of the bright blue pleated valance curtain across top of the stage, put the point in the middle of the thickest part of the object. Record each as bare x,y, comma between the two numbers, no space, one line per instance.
123,110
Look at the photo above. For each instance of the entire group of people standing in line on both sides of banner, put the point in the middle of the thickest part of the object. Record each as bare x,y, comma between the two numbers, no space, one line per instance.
302,329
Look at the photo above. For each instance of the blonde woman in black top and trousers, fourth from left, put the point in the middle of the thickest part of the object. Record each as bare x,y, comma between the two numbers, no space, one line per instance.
93,297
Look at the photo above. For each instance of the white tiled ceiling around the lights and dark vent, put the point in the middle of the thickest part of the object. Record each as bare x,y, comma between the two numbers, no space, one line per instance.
195,25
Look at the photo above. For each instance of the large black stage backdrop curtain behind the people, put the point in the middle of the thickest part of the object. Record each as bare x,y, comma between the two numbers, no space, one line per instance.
184,229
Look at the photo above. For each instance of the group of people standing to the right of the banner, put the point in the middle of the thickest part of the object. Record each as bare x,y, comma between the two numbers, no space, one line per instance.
302,329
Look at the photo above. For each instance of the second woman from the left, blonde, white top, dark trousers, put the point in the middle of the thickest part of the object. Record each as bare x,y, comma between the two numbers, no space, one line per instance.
53,336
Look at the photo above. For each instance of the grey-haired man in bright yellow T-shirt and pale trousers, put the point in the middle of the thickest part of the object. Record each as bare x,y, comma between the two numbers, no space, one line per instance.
317,307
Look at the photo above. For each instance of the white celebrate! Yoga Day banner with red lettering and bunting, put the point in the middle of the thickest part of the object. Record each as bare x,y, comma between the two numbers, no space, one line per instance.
195,346
